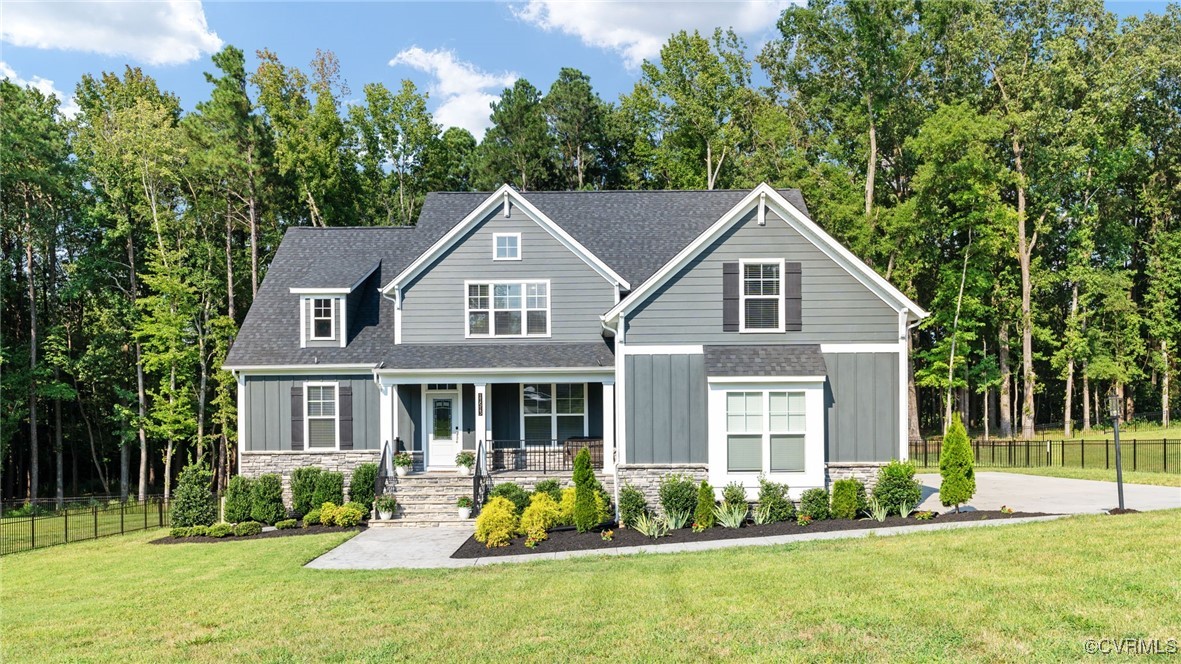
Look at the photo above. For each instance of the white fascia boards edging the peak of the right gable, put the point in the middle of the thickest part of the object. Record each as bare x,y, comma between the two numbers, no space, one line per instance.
765,194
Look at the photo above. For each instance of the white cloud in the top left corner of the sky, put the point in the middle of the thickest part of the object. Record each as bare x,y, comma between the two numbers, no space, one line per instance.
166,32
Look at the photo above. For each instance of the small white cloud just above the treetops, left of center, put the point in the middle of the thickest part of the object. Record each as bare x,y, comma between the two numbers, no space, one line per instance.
464,93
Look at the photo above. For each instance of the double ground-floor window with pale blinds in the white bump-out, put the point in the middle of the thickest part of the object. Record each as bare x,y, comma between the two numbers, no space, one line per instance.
766,432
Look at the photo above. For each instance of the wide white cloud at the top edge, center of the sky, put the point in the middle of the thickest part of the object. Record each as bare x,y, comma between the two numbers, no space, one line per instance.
638,30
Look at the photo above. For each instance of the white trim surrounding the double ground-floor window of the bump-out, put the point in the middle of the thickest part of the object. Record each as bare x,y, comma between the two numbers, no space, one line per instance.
813,476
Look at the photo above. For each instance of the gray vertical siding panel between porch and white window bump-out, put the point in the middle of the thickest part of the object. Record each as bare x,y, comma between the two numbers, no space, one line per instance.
665,411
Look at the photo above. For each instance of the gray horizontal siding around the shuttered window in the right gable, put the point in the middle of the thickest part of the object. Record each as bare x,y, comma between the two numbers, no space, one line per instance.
836,307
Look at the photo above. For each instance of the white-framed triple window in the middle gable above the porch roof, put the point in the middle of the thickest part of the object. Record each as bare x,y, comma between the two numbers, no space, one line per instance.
508,310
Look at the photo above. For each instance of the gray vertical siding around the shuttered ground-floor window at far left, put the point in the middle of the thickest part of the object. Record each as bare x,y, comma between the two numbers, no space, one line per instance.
269,411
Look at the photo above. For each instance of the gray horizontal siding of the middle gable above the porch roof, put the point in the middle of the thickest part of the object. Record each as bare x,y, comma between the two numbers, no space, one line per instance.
434,308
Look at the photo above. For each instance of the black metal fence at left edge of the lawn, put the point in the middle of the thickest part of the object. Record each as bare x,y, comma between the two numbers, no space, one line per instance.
44,524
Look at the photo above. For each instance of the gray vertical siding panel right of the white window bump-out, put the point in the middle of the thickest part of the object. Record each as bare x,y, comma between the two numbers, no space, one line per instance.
863,405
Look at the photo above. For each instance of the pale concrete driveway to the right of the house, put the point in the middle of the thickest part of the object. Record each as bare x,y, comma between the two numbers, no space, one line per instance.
1054,496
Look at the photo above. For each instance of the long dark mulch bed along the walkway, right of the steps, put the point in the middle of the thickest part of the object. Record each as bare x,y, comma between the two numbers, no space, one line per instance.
569,539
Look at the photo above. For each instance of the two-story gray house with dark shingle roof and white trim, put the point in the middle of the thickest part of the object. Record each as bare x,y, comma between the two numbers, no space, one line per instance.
723,335
